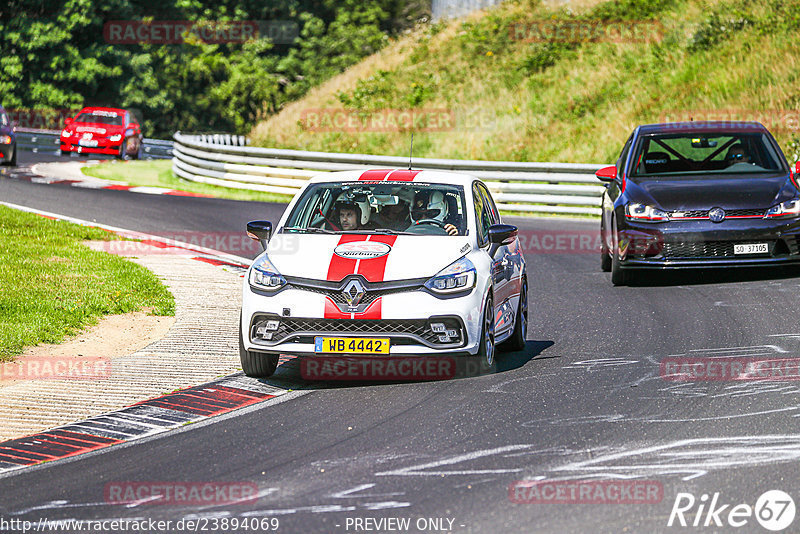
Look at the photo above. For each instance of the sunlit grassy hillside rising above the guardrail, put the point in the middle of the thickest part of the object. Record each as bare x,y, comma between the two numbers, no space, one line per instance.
565,101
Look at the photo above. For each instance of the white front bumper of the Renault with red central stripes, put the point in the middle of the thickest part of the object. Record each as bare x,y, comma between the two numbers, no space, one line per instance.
405,318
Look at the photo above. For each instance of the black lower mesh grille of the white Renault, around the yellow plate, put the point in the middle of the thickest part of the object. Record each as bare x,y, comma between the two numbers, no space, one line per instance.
400,331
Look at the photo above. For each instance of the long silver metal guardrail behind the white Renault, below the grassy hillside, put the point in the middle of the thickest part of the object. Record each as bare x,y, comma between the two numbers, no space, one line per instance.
562,188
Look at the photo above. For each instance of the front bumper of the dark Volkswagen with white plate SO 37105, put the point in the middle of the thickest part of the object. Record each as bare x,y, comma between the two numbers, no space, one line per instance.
699,244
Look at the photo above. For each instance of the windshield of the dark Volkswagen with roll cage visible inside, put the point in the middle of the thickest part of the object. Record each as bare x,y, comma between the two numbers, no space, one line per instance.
691,154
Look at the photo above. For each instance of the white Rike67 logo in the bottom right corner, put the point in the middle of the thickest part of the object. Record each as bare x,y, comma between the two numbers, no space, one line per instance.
774,510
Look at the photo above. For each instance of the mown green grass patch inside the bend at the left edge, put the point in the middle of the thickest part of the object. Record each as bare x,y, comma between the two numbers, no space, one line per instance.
53,286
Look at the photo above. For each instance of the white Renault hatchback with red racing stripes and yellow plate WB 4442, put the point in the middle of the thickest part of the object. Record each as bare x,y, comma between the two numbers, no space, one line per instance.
382,263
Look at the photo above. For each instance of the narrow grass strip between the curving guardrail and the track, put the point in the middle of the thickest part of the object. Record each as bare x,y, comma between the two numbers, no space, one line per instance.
158,173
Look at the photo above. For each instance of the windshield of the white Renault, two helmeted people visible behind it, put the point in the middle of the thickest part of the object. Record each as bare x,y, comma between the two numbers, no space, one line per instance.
386,207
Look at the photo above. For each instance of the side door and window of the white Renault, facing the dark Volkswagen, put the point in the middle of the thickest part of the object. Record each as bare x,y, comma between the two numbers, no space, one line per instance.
502,265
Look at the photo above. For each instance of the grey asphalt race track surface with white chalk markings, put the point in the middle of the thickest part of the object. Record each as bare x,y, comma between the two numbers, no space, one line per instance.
585,401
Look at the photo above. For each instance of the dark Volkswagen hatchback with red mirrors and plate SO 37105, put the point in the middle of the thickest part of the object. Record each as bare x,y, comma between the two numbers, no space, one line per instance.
712,194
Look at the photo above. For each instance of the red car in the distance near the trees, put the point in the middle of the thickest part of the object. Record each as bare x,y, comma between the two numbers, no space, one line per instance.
99,130
